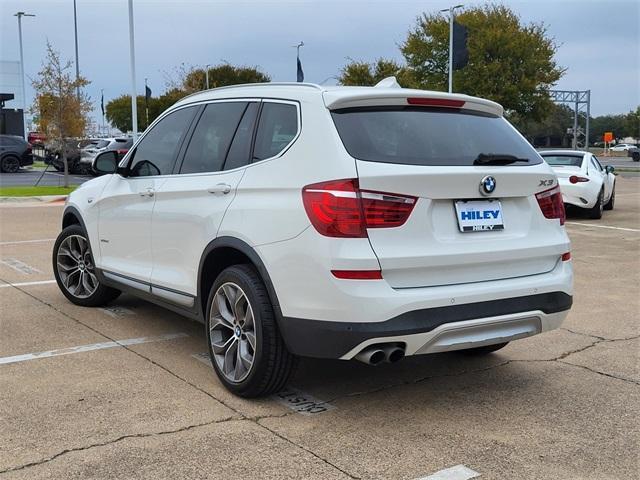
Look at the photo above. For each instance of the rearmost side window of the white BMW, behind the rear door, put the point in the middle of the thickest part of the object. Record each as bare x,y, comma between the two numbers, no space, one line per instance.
278,125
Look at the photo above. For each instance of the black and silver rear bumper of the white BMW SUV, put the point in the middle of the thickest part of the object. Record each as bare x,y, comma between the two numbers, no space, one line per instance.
431,330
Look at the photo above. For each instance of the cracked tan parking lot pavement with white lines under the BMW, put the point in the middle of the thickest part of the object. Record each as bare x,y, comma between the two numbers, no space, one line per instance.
125,392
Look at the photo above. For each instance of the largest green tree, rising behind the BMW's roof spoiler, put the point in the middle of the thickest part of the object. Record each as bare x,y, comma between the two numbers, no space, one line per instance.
509,62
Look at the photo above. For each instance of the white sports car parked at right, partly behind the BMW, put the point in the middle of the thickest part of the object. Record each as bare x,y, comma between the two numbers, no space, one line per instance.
583,181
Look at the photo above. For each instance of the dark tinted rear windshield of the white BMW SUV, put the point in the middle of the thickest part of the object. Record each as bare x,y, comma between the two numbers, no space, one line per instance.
428,136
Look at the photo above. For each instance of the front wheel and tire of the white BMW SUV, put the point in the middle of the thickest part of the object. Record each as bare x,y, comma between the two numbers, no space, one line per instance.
89,293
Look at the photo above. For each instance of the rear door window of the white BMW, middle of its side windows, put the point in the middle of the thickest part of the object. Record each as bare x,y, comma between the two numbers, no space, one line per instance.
212,137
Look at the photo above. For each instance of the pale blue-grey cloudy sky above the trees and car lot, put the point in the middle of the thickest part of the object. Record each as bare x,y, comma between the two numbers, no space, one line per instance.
598,40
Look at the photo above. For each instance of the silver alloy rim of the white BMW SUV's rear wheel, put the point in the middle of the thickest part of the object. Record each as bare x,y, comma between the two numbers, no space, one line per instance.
232,332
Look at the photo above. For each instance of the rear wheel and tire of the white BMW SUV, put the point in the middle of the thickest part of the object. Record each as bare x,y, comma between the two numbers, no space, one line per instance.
265,368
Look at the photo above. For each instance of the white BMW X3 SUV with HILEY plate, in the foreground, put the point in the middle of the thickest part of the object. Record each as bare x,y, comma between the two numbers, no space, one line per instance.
335,222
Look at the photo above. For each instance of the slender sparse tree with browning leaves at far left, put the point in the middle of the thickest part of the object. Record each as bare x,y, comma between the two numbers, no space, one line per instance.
62,113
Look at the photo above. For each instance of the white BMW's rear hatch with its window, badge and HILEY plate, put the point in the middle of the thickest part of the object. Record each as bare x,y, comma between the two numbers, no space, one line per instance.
459,230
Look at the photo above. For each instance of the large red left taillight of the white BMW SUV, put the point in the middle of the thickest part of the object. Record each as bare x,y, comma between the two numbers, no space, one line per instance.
340,209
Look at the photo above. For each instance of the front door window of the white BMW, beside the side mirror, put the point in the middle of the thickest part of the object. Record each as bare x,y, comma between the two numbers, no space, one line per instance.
156,152
